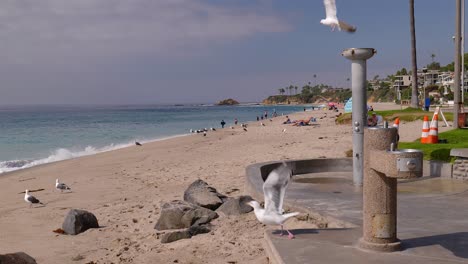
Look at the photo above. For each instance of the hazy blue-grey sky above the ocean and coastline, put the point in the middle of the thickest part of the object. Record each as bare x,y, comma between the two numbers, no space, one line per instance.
202,51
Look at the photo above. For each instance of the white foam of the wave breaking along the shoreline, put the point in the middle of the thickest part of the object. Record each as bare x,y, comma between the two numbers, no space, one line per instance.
64,154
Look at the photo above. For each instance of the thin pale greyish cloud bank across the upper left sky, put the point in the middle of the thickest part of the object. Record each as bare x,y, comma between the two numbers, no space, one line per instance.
55,30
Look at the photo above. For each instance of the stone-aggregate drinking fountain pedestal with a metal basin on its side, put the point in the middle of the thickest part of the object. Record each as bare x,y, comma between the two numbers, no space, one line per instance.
383,165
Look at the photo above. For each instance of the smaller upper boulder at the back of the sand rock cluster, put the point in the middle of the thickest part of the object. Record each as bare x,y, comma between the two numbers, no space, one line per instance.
200,193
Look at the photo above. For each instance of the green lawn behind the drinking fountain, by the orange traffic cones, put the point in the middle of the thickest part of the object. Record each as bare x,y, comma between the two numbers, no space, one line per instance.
457,138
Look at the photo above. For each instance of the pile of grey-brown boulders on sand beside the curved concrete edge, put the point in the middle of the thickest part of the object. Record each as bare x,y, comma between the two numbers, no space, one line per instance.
193,215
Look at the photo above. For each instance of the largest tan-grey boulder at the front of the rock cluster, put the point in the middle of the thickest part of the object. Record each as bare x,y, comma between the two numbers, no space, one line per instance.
180,214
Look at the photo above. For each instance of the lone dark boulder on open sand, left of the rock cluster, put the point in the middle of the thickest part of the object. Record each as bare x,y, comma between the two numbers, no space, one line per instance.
78,221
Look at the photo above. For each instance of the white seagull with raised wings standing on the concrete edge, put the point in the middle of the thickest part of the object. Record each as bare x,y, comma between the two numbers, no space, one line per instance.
274,188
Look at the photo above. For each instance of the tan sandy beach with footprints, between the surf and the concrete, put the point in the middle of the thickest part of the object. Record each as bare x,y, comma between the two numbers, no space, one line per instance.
125,189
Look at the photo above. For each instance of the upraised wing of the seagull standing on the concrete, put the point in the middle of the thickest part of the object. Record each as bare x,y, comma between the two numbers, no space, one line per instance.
274,188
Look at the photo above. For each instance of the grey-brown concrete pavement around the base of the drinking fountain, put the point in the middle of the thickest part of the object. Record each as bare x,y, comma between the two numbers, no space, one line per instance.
432,222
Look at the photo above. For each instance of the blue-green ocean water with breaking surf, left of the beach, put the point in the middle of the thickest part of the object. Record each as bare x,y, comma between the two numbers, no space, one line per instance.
34,135
